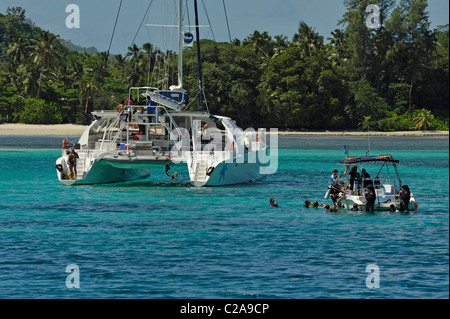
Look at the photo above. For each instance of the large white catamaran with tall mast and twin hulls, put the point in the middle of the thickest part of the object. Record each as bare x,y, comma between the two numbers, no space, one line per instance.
153,132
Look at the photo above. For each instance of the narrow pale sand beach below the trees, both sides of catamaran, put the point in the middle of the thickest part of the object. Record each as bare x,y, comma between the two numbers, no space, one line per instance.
72,130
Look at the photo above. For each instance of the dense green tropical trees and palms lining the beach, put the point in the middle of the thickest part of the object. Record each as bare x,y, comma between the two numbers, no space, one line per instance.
395,77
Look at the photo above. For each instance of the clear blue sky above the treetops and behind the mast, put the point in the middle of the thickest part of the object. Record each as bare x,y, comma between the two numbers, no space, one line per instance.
277,17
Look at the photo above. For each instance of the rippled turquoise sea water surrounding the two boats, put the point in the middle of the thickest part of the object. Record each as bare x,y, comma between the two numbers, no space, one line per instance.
171,240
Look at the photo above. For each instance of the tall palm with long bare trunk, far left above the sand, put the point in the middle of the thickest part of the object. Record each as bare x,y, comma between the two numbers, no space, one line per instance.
46,54
